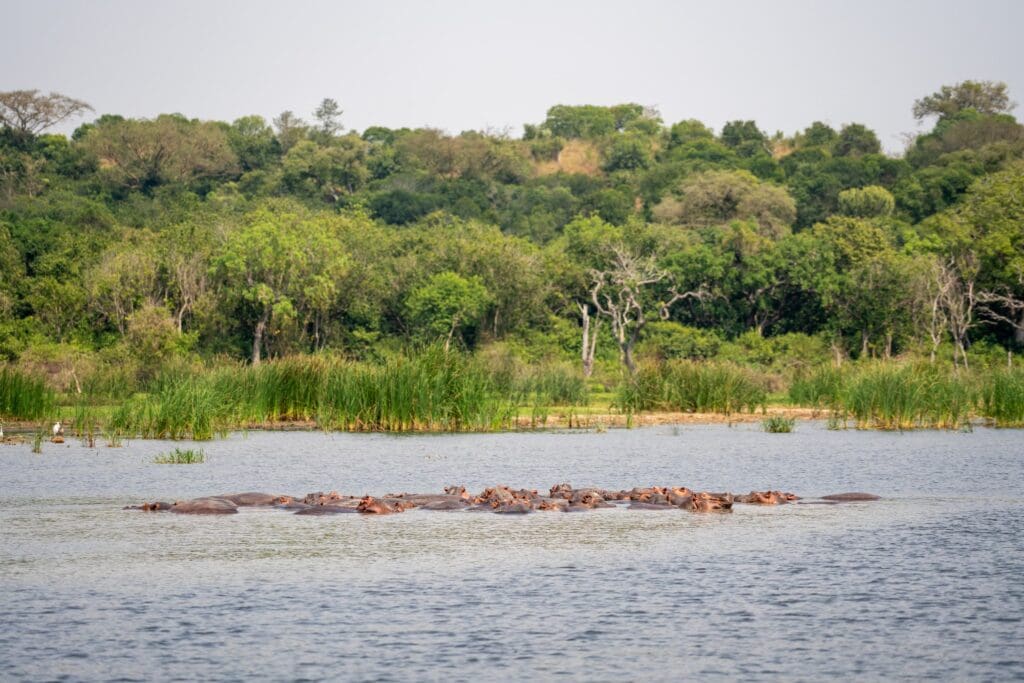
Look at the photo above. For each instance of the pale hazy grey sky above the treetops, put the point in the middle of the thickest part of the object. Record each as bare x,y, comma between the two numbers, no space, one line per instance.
461,65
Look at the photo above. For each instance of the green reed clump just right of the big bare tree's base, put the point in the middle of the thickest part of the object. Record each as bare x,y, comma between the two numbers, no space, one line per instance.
694,388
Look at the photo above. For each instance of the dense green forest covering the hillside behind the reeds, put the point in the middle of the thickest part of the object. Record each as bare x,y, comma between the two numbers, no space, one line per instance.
604,234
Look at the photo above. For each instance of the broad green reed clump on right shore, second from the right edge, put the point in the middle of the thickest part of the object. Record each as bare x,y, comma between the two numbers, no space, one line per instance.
889,397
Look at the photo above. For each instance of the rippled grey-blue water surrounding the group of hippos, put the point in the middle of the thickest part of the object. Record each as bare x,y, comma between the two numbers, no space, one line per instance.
924,584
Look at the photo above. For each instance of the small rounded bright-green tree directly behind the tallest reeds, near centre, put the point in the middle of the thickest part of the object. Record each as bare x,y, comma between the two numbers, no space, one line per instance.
447,304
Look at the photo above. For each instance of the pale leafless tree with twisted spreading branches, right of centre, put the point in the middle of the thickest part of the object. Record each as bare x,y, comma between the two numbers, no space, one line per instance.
618,294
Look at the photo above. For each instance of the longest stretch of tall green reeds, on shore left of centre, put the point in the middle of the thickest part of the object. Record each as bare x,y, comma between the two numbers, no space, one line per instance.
431,392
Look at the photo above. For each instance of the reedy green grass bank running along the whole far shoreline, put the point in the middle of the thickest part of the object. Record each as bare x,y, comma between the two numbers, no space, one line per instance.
438,392
